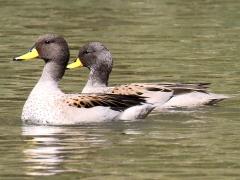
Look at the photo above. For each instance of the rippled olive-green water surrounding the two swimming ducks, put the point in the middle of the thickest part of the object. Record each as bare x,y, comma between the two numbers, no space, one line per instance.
151,41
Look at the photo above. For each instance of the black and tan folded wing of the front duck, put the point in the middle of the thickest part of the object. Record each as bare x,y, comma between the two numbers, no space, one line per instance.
114,101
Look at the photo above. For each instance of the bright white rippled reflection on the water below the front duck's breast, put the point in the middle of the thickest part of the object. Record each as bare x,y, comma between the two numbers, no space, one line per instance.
43,151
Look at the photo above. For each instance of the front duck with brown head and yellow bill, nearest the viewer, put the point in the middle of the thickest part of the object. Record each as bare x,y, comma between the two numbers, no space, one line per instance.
48,105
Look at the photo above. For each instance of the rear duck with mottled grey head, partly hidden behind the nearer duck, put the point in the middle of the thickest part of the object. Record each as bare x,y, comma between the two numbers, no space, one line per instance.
98,59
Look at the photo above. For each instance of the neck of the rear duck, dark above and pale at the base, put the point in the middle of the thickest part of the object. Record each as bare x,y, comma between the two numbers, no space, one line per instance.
98,78
